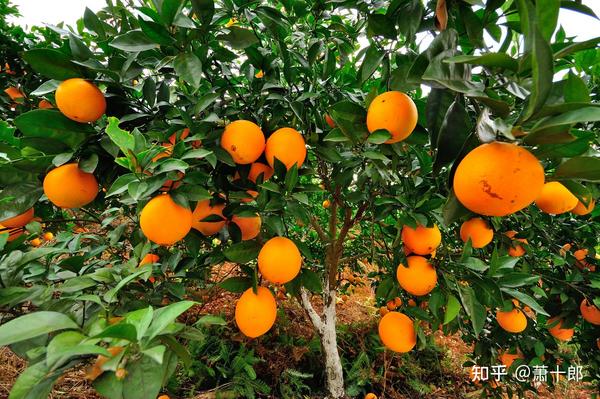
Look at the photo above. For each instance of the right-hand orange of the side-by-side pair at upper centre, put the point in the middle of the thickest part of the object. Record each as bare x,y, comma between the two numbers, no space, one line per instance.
287,145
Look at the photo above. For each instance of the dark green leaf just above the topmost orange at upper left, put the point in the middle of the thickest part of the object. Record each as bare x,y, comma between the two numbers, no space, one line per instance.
52,64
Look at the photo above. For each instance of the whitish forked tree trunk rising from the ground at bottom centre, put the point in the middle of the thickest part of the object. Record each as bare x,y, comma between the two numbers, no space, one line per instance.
325,327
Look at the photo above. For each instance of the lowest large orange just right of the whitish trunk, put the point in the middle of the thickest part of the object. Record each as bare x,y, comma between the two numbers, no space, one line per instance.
397,332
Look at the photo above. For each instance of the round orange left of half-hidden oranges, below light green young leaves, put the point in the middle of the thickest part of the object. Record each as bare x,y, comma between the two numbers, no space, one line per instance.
165,222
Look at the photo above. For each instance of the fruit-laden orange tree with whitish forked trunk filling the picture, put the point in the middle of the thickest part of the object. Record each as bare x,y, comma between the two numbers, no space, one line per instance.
306,142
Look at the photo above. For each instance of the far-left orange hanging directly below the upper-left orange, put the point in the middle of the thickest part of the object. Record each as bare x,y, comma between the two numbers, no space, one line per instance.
69,187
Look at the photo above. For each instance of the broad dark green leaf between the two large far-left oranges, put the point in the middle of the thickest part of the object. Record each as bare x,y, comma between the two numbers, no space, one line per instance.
51,124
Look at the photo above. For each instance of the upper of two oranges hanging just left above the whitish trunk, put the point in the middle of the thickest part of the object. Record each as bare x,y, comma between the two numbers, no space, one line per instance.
279,260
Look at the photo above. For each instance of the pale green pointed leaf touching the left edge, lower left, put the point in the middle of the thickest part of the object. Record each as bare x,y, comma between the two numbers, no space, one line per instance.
33,325
